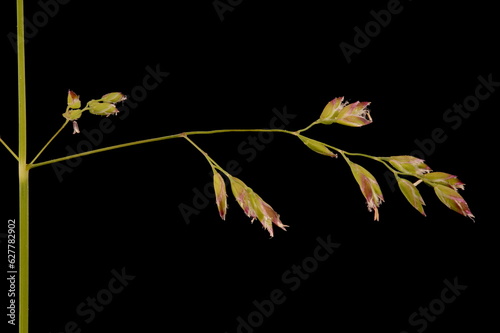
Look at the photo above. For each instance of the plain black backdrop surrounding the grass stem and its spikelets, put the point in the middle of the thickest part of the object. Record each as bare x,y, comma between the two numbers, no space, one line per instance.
121,209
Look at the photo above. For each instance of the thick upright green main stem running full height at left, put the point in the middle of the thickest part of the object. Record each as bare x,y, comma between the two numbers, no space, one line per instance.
23,179
